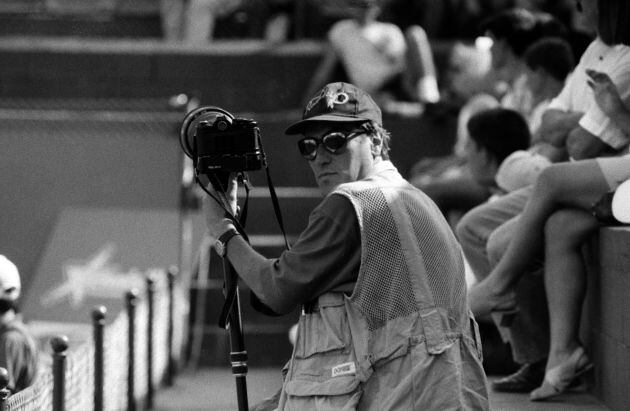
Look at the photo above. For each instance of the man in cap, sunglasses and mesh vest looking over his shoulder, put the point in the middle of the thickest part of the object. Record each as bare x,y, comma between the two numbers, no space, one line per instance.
378,273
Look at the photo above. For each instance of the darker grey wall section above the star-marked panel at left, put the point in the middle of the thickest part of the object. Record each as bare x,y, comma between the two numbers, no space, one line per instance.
48,165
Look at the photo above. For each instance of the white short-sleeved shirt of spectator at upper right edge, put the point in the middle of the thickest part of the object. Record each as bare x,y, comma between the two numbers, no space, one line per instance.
577,95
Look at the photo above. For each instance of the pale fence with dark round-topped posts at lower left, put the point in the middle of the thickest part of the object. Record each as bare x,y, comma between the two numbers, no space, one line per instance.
123,363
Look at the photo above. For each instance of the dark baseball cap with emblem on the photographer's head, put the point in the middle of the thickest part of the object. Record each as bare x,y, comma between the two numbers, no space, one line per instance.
338,102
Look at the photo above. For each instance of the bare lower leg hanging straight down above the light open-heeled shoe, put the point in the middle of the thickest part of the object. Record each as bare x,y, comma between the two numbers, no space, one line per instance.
565,278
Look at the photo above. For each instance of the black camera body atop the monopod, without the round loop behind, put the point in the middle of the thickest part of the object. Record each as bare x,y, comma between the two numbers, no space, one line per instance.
228,145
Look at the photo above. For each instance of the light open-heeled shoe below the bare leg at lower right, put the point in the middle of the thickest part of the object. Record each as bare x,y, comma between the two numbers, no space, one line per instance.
561,377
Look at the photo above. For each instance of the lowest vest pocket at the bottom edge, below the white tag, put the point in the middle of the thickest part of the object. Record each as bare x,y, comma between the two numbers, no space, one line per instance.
339,393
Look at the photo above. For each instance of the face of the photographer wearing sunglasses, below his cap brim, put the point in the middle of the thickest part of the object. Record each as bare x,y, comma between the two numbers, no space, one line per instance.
353,162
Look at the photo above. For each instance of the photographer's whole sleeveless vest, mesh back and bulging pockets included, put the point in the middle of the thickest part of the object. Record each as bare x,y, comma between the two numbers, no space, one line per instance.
404,339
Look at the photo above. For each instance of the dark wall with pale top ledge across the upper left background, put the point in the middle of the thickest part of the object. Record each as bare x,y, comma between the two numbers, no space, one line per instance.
243,75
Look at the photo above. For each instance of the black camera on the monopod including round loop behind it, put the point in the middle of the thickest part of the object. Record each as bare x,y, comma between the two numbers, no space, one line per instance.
217,142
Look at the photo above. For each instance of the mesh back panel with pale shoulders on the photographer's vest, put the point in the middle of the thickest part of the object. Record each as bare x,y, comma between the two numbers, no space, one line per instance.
411,282
